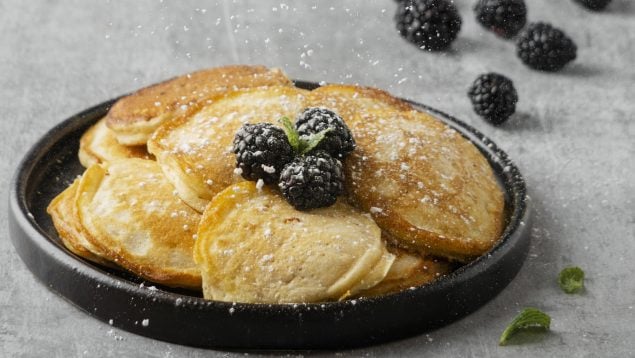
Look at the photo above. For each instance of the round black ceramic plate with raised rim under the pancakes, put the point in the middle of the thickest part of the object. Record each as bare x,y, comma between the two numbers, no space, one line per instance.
185,318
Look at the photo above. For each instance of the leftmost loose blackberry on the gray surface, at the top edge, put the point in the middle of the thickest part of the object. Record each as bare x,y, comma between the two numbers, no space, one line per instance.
432,25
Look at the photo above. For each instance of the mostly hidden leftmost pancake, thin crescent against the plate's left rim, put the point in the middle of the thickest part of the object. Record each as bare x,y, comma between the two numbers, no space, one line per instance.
63,211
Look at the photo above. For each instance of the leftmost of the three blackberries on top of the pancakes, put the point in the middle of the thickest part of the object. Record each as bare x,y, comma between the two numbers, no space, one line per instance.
262,150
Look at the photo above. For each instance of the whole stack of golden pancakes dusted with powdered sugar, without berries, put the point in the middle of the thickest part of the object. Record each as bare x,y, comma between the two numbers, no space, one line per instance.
160,197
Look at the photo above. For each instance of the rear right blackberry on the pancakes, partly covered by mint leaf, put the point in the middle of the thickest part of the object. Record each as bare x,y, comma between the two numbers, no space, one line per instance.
338,141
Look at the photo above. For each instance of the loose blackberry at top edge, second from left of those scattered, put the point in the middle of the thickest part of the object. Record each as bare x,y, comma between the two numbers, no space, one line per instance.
504,17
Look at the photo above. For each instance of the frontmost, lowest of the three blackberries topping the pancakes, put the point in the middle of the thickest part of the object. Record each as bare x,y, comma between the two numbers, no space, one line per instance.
312,181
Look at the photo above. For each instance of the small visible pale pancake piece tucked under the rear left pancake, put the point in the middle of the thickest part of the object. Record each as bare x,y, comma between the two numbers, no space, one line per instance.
99,145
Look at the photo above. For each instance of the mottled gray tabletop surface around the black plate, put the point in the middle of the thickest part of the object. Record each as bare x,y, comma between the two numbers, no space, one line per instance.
572,138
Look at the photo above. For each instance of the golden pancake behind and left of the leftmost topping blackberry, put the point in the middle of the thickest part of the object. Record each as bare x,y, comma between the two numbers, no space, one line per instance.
195,150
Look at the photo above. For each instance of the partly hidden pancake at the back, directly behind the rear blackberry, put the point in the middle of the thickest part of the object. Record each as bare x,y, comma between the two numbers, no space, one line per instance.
349,100
